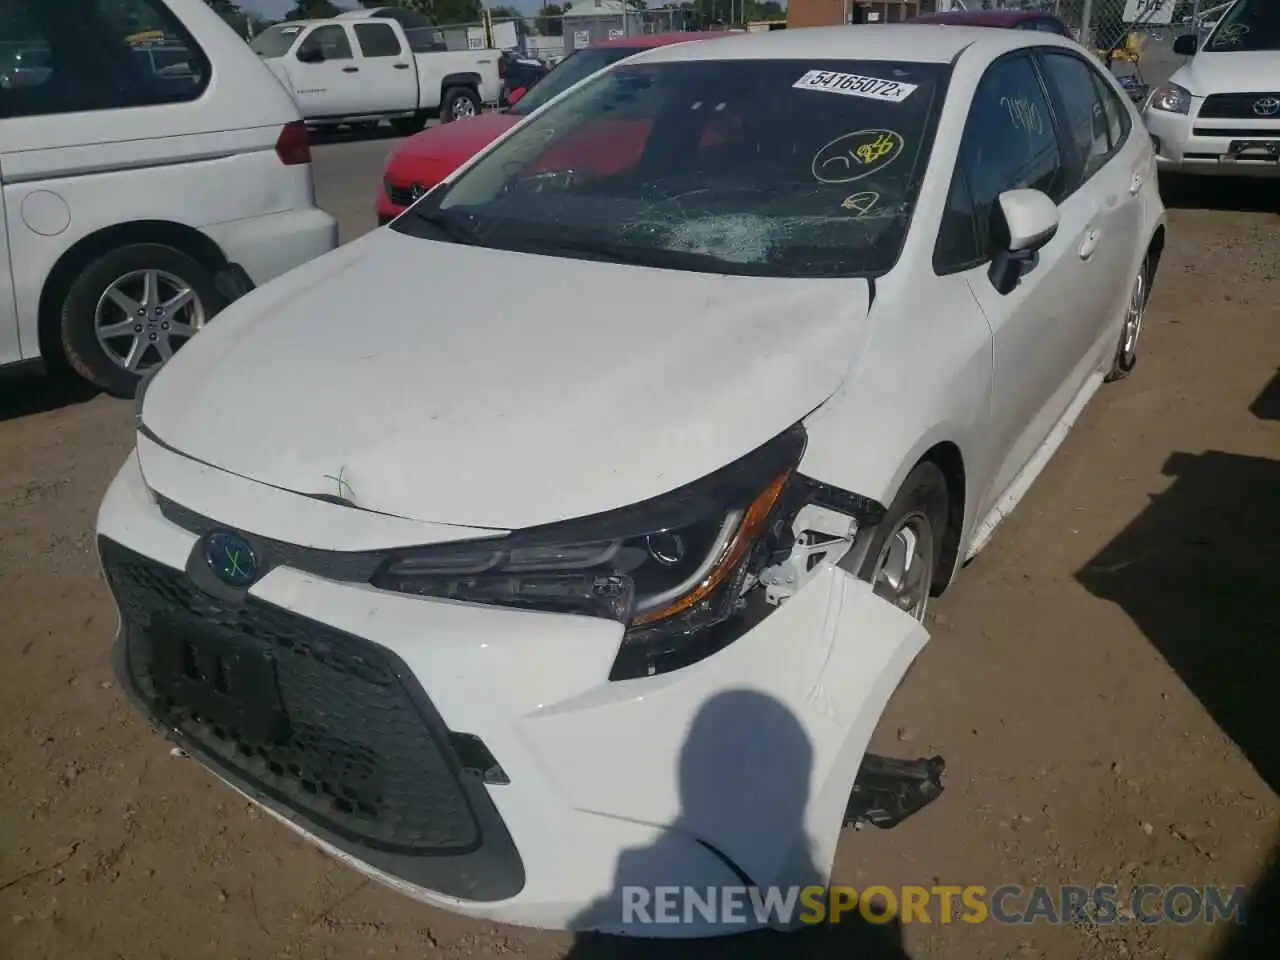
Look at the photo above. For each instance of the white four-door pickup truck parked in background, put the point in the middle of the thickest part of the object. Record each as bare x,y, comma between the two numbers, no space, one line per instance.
365,67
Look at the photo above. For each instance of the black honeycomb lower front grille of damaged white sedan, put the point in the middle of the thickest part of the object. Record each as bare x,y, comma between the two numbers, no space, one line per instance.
322,723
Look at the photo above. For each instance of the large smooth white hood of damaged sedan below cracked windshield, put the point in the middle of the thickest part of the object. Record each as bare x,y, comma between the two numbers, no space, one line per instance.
446,383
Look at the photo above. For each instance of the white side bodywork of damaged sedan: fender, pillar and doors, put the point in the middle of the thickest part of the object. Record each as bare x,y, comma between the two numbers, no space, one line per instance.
988,360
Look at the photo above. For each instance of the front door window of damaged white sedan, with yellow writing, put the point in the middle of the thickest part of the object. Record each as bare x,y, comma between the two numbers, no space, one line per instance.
1009,141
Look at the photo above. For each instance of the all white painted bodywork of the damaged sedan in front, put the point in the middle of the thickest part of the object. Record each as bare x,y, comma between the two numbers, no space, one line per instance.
660,378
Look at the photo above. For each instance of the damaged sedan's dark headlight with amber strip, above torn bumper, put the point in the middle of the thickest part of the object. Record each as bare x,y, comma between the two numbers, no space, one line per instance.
669,569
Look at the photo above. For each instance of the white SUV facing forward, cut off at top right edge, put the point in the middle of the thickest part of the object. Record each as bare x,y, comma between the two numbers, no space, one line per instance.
1220,115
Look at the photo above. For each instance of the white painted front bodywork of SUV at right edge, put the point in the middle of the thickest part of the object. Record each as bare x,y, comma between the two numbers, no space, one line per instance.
1194,145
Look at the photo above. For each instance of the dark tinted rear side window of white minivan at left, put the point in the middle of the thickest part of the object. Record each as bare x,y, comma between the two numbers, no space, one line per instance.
112,54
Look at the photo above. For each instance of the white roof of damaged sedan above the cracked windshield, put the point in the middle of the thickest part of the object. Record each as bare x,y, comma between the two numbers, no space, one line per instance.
892,42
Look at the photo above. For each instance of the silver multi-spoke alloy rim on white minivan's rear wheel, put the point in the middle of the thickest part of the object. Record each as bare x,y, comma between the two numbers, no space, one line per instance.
145,317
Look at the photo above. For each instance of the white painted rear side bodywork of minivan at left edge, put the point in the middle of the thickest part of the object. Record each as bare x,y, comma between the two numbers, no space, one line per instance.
208,164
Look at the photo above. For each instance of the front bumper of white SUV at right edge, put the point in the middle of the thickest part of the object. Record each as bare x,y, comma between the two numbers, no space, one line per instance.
1188,145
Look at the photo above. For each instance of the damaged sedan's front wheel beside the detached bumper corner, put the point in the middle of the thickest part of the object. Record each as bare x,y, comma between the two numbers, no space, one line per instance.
921,509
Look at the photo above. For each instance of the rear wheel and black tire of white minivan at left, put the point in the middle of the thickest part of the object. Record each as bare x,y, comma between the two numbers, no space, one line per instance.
125,276
